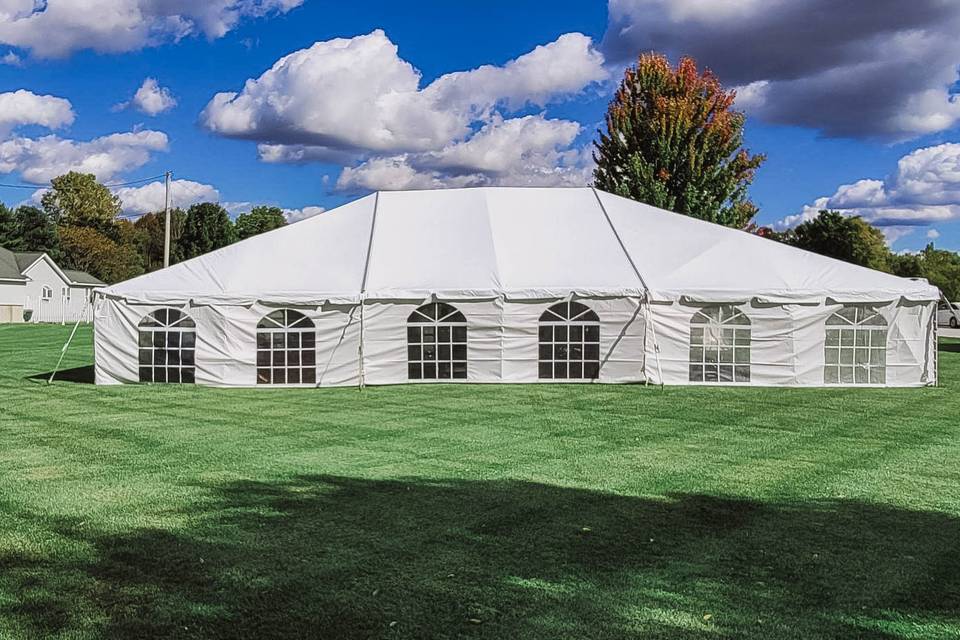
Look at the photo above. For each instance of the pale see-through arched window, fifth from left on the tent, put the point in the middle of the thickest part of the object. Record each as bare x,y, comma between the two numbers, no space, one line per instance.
720,345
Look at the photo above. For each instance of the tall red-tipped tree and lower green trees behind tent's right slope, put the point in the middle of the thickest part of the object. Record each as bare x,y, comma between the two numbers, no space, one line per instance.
673,140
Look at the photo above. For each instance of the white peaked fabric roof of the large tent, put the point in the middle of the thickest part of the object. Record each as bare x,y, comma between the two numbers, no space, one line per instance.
522,243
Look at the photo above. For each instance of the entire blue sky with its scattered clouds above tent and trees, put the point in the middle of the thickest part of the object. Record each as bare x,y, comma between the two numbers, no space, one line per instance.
820,118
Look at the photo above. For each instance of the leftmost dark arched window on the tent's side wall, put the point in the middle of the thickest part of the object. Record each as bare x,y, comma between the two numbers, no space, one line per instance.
168,340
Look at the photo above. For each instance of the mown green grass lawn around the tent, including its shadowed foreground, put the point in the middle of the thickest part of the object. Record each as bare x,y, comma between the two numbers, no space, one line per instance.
460,511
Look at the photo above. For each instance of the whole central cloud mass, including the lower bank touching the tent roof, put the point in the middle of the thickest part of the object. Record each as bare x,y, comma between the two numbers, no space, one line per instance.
309,107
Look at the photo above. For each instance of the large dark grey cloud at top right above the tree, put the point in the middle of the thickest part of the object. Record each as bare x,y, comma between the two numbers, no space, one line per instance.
883,71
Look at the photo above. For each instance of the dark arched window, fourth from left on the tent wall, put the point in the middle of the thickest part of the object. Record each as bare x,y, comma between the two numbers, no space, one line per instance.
569,343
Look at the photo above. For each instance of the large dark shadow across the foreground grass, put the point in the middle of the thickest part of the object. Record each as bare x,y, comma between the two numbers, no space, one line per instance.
332,557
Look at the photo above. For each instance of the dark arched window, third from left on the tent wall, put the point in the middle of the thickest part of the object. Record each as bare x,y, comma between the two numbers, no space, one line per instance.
437,343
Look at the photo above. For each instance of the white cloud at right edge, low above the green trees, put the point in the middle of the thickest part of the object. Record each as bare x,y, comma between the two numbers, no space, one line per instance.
924,190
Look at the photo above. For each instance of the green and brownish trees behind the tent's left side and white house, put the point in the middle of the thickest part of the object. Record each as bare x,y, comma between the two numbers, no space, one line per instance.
78,224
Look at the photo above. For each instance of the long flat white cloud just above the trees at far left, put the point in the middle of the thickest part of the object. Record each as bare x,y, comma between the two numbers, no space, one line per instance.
40,160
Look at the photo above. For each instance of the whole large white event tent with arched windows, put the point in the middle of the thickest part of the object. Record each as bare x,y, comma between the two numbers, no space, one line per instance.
514,285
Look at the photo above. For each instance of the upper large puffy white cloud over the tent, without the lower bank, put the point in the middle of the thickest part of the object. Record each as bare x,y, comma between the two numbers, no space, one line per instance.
313,97
